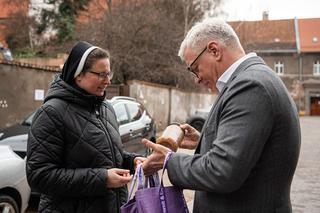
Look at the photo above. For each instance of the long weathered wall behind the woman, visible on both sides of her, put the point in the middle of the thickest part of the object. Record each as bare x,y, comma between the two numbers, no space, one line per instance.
20,83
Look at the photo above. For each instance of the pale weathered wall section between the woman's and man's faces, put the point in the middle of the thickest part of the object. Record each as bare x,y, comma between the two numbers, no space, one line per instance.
168,104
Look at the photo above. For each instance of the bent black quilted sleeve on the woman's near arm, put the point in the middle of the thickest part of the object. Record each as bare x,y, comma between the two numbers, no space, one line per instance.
45,167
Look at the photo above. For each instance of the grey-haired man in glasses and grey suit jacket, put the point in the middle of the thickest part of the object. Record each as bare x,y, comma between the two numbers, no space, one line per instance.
248,150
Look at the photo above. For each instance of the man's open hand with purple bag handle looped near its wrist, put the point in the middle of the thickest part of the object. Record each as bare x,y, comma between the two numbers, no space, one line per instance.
155,161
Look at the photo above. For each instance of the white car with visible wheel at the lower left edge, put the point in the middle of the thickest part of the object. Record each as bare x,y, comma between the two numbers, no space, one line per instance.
14,188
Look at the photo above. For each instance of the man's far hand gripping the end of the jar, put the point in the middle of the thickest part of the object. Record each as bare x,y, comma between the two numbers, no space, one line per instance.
191,137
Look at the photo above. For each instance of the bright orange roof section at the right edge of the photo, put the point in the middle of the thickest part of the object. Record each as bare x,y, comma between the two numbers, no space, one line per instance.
309,34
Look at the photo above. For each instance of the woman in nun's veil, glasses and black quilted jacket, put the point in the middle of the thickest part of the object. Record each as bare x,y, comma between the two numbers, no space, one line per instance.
74,155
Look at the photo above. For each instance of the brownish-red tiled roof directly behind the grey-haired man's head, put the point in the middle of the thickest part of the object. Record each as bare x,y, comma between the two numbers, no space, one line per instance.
266,35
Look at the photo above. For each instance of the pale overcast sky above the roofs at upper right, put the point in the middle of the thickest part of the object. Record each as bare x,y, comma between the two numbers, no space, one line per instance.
278,9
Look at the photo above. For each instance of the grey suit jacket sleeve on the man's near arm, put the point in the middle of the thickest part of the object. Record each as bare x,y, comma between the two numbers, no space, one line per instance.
245,124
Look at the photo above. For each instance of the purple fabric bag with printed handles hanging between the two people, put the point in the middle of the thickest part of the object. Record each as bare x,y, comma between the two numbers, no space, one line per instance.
153,197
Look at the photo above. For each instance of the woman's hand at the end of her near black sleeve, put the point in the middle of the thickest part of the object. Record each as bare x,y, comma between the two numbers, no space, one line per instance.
118,177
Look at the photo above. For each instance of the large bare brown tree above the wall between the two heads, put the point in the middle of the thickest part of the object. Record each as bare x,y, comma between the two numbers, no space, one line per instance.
144,37
